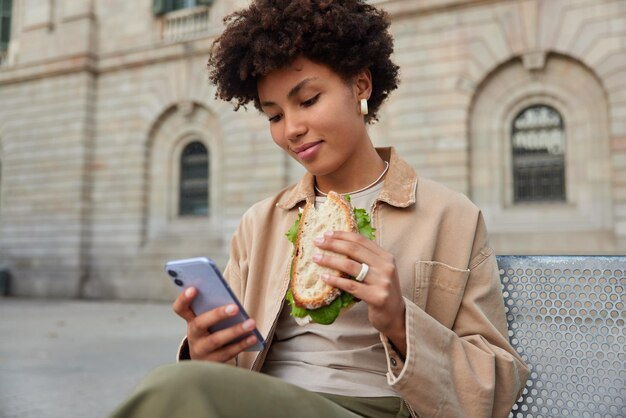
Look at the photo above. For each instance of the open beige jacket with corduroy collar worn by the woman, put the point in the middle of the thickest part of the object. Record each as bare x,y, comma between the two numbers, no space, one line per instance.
459,362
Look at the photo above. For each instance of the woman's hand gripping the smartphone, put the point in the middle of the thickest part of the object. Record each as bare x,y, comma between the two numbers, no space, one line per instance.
204,345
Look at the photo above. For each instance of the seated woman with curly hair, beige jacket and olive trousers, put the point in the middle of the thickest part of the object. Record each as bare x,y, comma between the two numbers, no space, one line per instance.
429,336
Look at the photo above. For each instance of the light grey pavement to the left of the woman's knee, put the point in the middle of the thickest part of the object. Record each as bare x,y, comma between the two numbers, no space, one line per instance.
70,358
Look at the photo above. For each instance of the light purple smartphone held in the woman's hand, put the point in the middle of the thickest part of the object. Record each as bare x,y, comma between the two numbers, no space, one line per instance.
213,291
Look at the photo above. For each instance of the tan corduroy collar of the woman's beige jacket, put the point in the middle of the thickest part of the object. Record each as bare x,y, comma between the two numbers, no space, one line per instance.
398,190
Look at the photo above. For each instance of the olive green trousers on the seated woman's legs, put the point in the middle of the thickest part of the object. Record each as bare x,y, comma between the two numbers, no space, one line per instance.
193,389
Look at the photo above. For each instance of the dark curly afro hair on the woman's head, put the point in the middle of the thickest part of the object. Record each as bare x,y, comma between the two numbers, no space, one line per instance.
347,36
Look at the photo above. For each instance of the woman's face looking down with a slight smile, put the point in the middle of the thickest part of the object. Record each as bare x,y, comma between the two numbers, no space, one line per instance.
314,115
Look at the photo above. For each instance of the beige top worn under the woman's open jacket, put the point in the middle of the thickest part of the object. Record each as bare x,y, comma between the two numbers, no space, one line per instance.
345,358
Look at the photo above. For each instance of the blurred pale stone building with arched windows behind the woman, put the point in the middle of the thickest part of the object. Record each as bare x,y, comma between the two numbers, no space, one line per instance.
115,156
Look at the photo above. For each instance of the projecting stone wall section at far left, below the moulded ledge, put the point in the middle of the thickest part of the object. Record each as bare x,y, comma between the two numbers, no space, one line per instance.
45,147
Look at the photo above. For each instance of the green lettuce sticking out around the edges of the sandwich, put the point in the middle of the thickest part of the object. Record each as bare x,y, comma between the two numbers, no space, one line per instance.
328,314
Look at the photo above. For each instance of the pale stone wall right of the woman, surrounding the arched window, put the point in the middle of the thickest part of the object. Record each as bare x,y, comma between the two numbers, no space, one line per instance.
457,55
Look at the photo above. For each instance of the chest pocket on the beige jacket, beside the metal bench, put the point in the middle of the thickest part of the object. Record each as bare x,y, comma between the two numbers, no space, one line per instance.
439,290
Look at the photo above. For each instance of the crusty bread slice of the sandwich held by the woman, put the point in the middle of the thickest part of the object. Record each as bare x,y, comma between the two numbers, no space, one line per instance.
335,214
